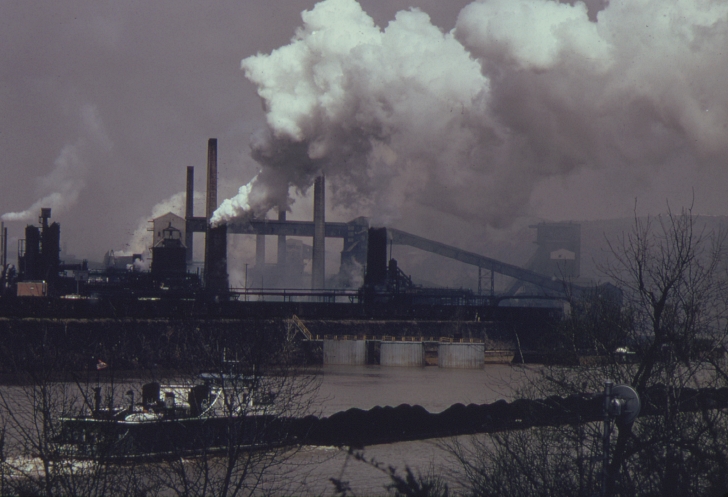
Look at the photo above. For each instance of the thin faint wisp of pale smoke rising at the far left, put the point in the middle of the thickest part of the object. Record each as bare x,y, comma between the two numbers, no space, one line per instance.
61,188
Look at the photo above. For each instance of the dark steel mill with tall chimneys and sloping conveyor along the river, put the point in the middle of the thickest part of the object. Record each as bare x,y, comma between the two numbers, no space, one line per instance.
376,322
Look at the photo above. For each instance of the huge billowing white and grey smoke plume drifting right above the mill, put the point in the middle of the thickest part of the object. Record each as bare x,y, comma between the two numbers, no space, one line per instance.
469,122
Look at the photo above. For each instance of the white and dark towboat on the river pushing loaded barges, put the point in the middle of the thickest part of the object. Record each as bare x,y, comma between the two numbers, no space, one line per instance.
174,420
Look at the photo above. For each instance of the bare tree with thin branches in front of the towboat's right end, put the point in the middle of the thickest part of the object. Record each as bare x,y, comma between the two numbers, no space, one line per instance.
262,388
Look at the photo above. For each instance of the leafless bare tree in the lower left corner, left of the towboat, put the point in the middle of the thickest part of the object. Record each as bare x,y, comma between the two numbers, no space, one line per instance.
34,459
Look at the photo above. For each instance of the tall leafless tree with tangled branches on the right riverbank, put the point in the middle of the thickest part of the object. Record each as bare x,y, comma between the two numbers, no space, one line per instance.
672,275
